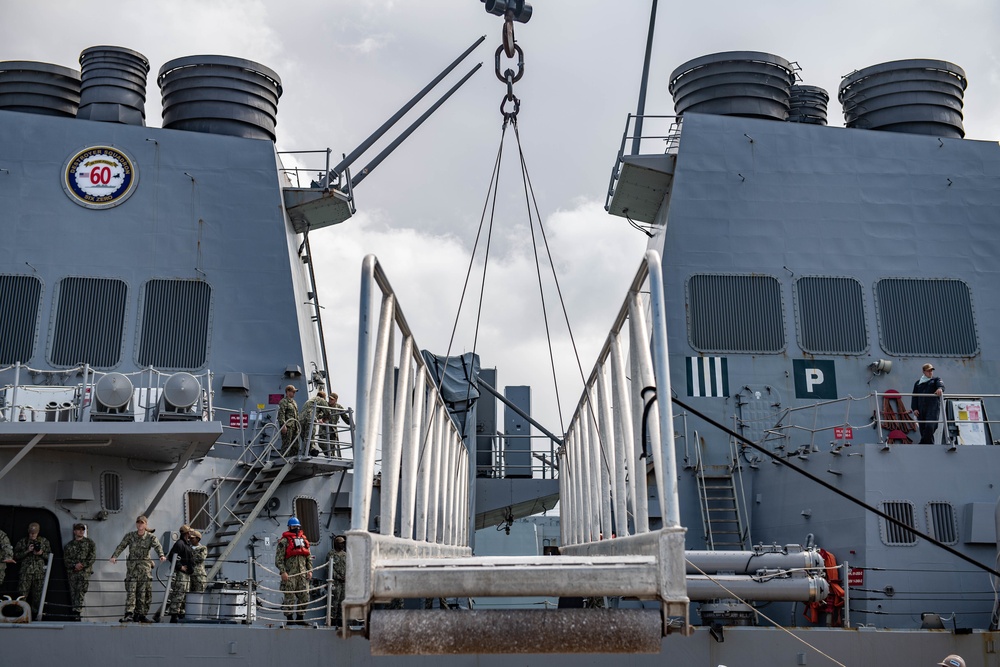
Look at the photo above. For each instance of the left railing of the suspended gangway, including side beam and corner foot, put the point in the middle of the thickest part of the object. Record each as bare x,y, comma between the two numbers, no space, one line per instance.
425,464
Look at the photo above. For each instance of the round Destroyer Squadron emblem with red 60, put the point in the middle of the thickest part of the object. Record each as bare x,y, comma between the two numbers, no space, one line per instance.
100,177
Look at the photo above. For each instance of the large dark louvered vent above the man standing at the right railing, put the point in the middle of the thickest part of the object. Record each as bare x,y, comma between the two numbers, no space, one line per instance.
926,317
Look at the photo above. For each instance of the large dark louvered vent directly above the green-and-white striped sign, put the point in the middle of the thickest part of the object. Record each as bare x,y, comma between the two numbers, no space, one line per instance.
735,314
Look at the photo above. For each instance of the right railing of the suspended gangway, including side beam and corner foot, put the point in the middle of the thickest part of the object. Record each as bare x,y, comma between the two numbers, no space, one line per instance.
622,423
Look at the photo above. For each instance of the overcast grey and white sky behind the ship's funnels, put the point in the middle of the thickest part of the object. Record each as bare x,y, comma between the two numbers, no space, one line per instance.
347,65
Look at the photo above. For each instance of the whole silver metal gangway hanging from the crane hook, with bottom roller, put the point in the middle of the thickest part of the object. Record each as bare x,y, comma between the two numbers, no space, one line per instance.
611,548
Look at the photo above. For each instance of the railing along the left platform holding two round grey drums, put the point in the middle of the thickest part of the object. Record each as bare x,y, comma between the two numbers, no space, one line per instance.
49,395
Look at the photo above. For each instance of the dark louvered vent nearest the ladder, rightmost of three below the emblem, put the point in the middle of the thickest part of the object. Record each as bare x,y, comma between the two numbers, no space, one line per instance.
175,317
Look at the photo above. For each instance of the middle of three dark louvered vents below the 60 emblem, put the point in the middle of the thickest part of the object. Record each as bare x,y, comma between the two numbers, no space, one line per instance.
90,322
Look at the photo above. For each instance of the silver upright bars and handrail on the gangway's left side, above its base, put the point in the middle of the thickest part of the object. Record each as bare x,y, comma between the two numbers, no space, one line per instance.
425,464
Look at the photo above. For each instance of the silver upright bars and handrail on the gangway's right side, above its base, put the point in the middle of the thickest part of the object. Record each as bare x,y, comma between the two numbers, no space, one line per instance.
603,480
